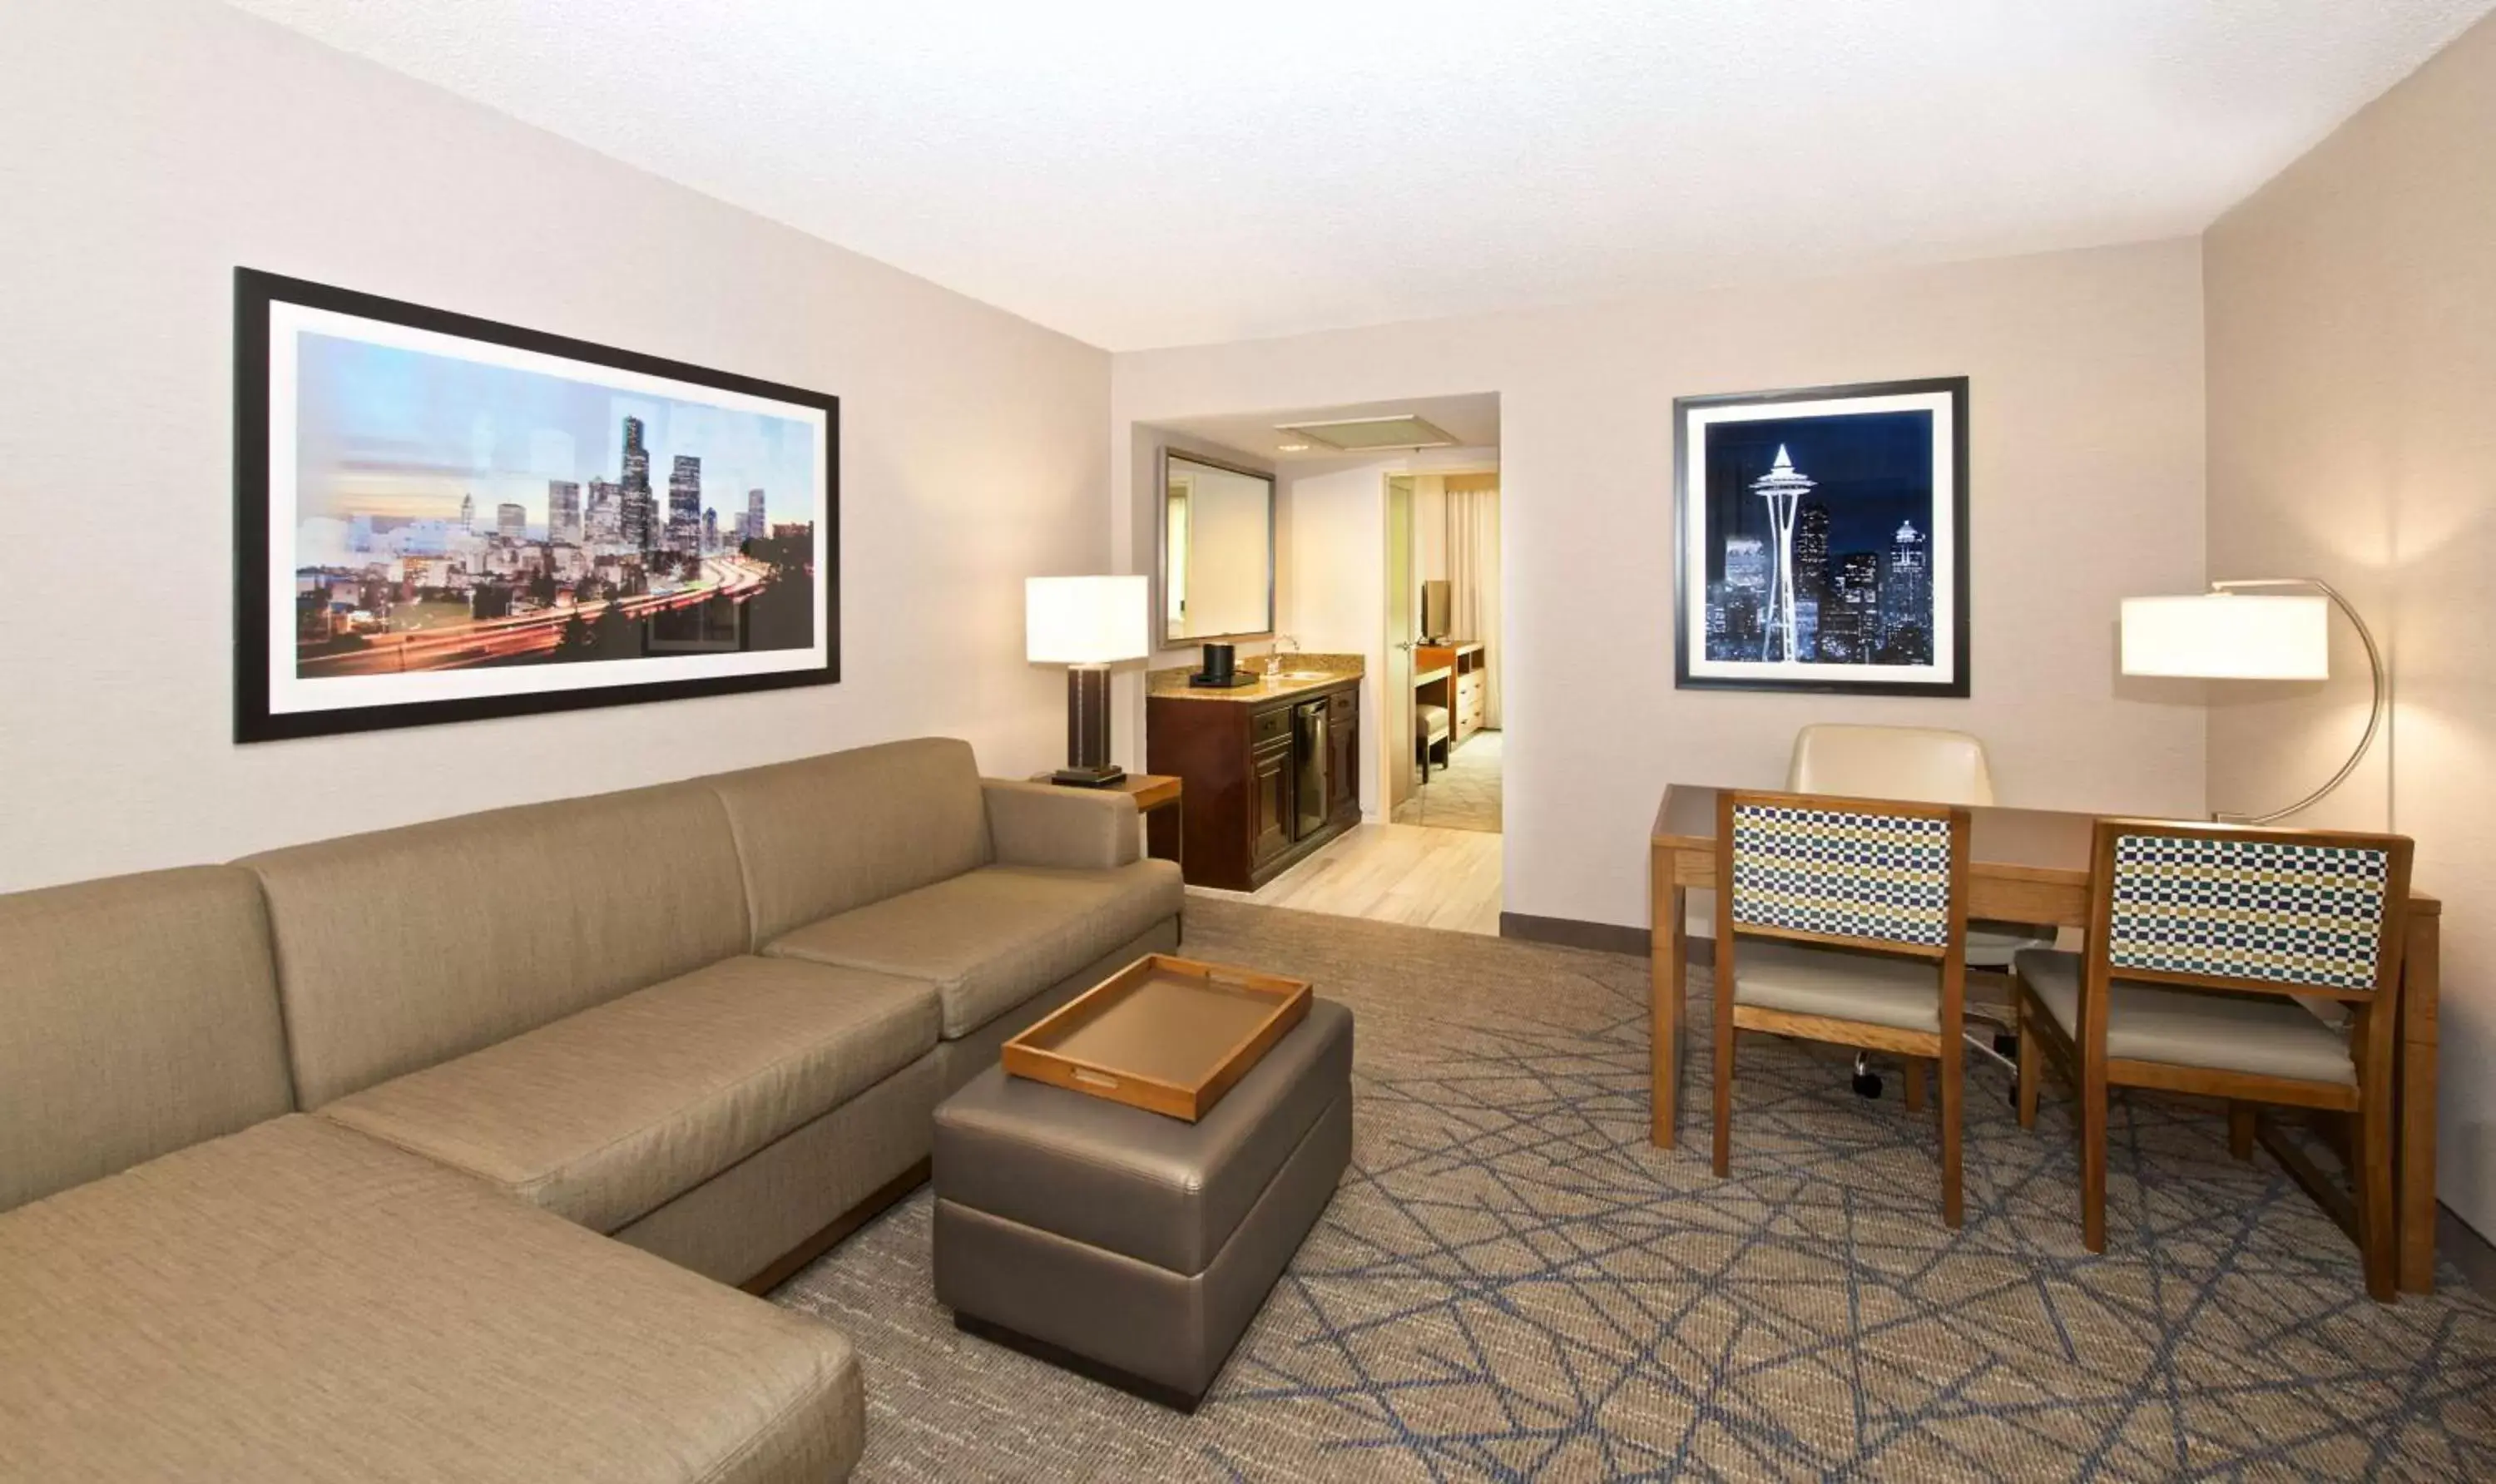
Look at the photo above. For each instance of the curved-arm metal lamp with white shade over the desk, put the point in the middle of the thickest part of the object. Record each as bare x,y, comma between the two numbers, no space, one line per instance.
2233,637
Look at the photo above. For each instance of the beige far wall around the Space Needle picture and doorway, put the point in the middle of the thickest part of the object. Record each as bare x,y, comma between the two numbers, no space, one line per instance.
2085,480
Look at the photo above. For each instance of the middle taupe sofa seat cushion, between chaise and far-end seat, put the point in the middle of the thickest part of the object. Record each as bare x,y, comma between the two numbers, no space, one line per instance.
610,1114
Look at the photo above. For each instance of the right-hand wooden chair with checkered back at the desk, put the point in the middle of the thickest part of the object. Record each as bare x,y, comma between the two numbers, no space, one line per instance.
2218,932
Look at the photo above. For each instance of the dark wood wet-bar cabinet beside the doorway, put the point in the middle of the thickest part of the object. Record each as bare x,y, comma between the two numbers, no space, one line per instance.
1267,779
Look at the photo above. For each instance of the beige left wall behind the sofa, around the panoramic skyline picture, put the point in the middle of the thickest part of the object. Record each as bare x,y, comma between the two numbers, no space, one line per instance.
156,146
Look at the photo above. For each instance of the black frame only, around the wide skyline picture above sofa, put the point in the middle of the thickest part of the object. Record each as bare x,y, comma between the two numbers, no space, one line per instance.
256,720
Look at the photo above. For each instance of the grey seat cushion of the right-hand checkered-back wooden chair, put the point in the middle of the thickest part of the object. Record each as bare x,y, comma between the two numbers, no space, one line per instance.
2195,1029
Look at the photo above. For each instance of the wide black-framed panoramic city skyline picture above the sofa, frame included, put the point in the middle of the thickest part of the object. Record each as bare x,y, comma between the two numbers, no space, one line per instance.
443,520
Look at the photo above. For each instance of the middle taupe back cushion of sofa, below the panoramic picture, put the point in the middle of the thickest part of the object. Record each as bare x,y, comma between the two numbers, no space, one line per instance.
406,949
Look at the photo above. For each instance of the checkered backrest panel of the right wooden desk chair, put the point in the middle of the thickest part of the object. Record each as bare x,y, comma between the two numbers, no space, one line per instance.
2248,909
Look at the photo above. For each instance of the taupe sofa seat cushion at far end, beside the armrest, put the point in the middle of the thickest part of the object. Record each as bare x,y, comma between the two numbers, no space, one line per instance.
997,937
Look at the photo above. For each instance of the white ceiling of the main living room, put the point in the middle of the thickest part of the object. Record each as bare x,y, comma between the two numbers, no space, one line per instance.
1167,173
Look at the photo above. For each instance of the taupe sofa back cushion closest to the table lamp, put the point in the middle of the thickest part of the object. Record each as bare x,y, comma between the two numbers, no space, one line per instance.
847,829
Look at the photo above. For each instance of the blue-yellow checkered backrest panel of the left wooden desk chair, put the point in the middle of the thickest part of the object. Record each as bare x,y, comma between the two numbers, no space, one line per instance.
1843,874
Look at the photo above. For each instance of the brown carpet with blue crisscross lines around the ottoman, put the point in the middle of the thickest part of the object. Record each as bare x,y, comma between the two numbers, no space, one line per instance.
1516,1286
